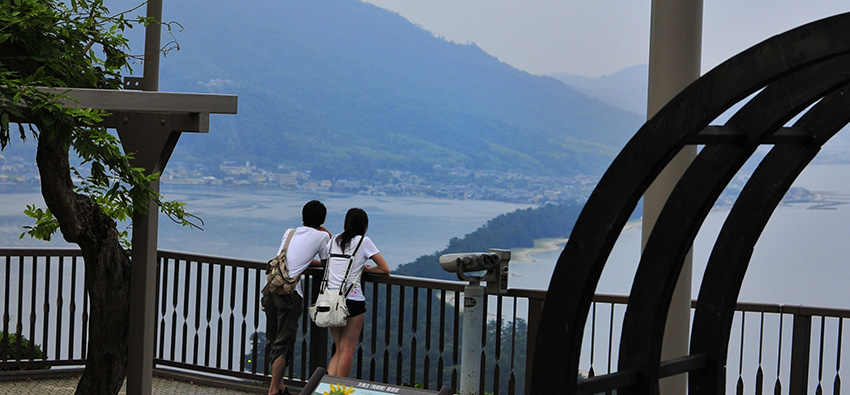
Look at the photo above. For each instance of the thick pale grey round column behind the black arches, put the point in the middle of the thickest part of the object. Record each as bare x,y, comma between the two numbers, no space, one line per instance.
674,62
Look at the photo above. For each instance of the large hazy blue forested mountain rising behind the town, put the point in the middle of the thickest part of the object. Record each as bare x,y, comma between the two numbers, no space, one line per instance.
344,88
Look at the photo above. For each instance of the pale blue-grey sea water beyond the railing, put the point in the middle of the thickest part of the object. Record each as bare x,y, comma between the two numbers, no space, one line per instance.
802,258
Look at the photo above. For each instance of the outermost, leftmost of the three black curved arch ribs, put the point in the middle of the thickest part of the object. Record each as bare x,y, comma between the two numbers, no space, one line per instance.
647,153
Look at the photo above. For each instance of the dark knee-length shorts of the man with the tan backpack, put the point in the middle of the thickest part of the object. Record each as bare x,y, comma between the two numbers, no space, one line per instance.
282,314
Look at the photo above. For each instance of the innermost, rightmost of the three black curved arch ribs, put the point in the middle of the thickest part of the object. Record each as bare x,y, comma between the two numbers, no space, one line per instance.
733,249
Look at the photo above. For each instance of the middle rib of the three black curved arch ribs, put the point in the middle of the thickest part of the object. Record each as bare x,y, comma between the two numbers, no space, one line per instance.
692,199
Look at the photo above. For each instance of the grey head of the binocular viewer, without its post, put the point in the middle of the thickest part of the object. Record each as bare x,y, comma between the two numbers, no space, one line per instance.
490,266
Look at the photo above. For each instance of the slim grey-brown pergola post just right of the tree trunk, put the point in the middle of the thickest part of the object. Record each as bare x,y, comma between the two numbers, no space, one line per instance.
143,270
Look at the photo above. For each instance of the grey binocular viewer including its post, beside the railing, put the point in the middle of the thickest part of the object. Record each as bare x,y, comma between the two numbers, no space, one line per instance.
492,267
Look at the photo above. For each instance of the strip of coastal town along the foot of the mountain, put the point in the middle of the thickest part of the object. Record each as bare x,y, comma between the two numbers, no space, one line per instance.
449,183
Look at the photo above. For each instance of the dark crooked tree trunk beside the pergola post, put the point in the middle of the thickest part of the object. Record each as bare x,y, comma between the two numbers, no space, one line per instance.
107,267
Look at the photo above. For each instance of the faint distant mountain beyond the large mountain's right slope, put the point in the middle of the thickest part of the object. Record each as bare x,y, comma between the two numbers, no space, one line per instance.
625,89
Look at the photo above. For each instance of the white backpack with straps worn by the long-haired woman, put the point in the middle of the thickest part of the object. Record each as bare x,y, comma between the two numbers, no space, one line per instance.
330,309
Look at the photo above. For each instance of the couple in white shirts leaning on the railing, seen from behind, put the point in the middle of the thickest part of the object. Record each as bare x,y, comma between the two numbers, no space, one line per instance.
341,304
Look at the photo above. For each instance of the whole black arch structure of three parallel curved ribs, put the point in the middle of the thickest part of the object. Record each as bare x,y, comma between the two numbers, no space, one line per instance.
792,70
